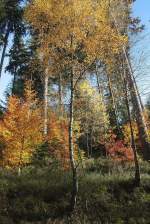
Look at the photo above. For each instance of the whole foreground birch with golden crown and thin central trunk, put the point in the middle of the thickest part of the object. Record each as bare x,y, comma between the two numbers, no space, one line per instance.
80,32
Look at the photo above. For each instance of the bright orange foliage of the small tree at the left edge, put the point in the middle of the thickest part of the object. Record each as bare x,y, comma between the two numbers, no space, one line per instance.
20,129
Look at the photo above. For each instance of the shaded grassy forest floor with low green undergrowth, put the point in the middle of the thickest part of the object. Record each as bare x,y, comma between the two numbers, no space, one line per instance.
107,195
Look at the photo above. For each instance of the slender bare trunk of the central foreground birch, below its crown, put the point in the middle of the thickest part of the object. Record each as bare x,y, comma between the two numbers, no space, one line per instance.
71,148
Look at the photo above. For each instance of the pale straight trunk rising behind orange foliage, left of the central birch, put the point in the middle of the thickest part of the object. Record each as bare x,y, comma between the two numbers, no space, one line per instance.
46,103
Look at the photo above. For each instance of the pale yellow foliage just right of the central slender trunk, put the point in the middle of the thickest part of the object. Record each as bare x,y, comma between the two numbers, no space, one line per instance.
90,113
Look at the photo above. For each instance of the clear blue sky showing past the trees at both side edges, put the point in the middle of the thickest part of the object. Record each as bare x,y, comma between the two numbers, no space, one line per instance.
141,8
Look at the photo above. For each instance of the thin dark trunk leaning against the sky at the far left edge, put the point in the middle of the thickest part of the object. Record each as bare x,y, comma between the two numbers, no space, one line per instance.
4,49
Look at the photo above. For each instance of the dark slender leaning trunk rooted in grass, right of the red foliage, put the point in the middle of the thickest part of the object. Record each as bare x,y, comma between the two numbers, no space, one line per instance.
133,145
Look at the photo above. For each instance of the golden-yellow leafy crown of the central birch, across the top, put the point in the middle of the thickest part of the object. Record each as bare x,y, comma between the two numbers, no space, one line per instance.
69,24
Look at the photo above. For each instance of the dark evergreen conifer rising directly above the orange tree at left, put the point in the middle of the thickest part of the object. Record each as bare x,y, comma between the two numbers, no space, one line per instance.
24,65
